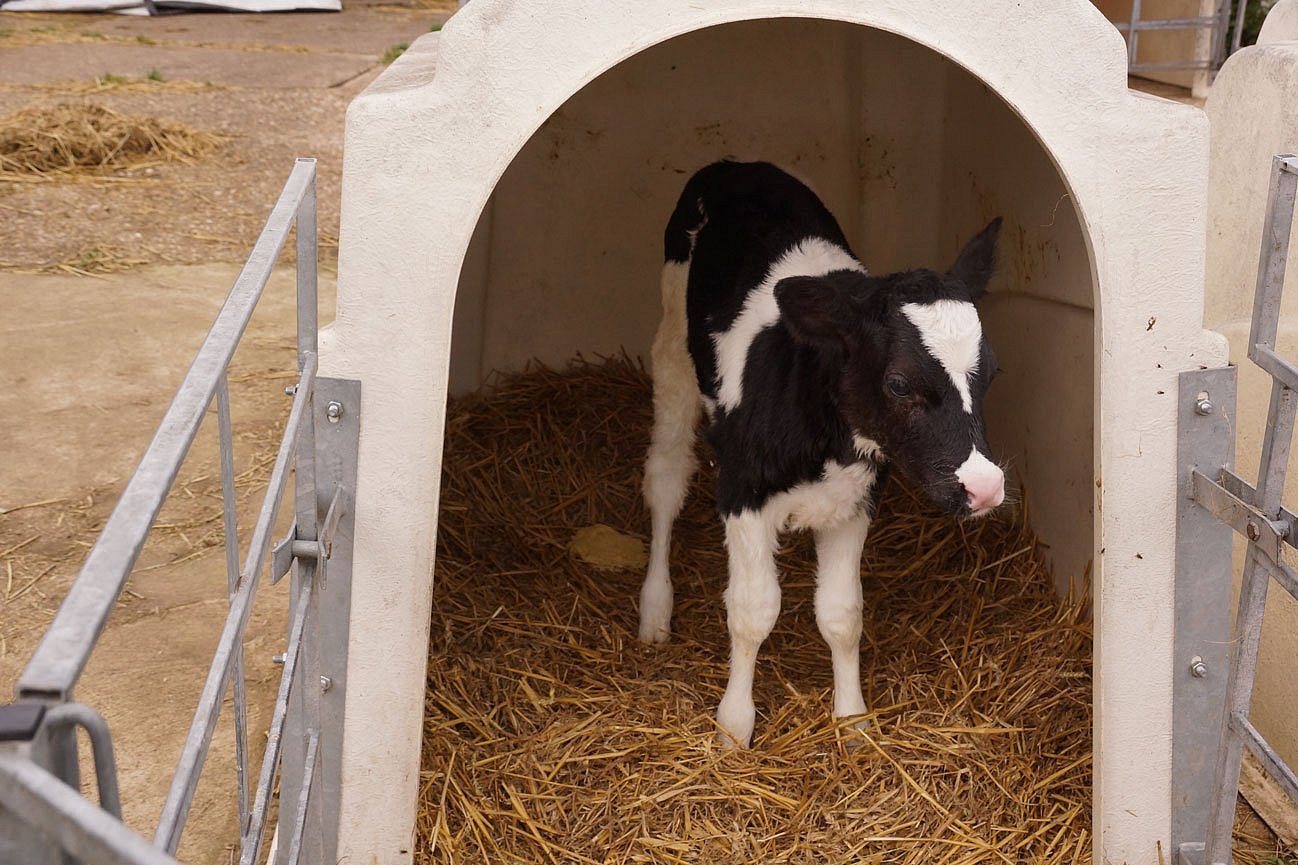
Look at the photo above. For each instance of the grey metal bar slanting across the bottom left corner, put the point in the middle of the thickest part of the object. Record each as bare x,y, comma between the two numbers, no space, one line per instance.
72,821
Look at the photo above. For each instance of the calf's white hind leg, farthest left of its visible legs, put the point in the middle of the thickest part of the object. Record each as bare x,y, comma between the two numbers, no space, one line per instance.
670,463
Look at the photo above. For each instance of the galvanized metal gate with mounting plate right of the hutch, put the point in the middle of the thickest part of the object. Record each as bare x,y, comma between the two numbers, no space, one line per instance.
1213,693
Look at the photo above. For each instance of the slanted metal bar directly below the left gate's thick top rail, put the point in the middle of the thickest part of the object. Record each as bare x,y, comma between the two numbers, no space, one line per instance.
186,780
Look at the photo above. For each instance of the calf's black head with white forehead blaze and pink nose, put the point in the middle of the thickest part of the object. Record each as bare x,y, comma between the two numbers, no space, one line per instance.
912,367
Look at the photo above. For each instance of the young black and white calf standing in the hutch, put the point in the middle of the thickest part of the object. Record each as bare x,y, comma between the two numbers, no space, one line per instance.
816,379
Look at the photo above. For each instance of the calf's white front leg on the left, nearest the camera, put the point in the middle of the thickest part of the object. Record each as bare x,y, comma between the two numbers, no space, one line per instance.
752,607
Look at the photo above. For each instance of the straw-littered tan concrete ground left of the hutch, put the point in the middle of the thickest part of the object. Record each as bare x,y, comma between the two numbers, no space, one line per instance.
108,284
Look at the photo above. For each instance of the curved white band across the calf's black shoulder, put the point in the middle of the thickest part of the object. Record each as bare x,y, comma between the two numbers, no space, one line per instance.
811,258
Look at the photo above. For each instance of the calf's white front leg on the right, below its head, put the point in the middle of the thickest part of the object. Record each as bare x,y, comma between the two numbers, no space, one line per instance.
839,605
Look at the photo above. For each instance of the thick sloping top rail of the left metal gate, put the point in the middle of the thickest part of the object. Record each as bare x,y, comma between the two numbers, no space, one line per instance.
67,646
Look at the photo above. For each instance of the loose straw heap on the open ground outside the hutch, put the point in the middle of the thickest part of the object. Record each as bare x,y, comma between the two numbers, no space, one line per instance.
68,138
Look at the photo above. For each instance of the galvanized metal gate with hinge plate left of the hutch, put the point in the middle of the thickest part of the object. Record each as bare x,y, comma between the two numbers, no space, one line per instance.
43,818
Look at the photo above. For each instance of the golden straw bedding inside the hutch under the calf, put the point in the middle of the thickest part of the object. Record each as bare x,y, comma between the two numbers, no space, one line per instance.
554,736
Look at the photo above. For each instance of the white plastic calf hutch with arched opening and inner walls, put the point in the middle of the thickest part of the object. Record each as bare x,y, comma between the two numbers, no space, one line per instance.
507,182
